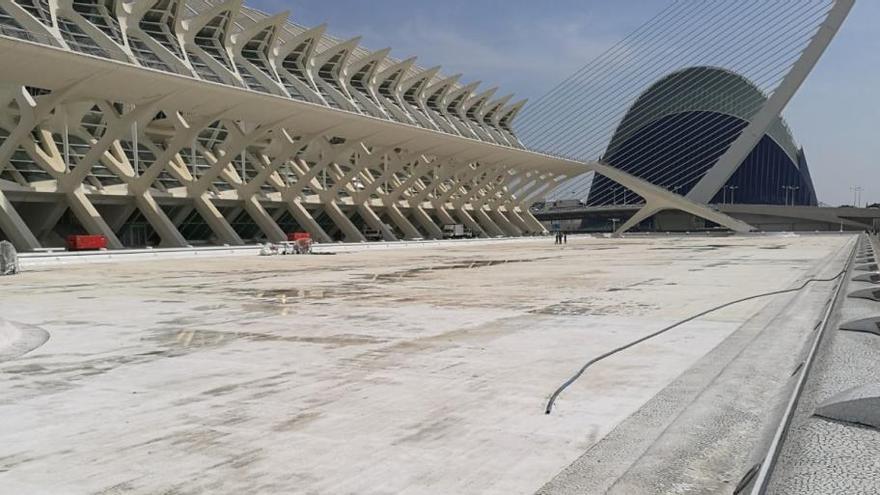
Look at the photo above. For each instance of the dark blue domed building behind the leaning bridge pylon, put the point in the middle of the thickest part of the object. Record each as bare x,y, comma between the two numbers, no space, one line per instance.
680,127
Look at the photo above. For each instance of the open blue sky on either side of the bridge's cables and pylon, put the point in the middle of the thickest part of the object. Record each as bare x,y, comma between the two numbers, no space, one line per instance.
526,47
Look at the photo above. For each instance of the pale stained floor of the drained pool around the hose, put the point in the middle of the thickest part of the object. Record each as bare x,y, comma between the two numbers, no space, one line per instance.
394,371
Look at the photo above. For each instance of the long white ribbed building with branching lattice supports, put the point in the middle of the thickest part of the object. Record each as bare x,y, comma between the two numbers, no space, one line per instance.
170,123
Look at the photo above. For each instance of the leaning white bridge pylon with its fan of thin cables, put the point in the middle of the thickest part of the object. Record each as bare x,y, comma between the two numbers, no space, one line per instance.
609,113
